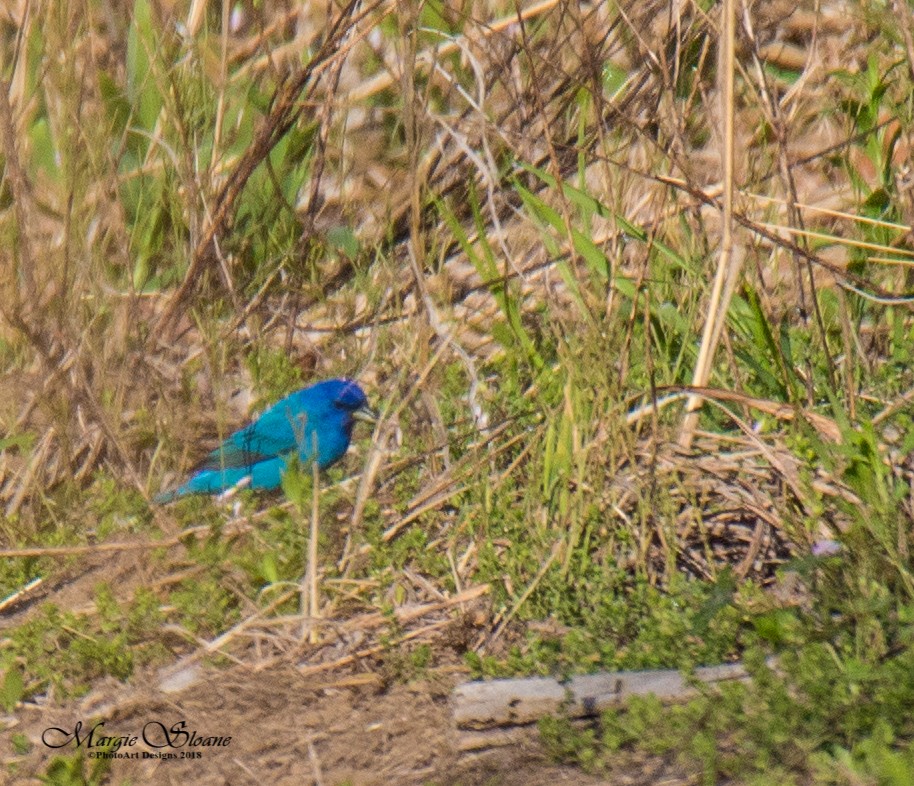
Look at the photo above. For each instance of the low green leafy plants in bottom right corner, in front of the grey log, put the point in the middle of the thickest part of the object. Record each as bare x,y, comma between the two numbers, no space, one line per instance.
823,715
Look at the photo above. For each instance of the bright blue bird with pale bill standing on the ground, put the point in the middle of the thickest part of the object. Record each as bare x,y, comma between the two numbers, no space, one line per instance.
317,418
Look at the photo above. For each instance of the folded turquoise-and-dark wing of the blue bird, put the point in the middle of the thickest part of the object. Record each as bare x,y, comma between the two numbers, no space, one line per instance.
278,431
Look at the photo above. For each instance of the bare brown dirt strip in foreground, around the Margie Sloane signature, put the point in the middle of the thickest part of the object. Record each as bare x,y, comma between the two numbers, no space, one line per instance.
285,729
